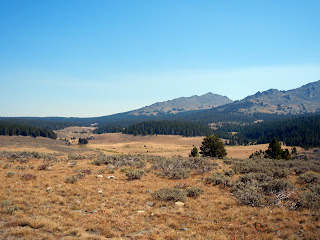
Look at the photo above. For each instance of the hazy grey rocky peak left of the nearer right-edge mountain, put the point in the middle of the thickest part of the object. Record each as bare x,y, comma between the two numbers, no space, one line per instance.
183,104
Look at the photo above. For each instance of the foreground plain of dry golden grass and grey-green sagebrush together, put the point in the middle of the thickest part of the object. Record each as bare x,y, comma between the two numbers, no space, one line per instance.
78,193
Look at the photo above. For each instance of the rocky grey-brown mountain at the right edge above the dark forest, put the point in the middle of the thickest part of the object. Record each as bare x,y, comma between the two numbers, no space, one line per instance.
305,99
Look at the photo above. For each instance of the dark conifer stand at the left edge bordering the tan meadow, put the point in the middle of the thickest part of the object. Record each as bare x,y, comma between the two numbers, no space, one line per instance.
11,129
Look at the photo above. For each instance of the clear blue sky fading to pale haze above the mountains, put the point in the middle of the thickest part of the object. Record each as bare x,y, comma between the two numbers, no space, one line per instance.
95,58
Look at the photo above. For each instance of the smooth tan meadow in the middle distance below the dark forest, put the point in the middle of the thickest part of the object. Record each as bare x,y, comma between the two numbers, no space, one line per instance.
162,145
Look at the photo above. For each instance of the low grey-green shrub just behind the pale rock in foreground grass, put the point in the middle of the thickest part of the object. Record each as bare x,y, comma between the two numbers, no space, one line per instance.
170,194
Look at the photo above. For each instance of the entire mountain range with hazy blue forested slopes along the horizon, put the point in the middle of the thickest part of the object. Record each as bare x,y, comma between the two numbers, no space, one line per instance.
268,105
